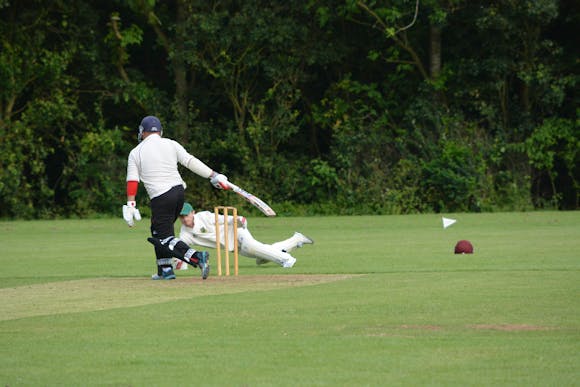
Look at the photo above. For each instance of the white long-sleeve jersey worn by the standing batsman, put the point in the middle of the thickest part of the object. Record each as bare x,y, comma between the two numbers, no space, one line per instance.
154,162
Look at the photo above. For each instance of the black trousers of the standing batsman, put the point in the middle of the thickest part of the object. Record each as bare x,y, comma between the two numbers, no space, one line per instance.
165,210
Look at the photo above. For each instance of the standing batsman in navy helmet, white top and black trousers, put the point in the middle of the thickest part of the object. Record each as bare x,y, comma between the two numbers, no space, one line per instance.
154,162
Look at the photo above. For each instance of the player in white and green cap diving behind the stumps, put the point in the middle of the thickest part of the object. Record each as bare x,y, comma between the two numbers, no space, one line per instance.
198,228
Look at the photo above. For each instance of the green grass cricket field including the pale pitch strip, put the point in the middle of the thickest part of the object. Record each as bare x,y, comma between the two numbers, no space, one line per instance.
375,301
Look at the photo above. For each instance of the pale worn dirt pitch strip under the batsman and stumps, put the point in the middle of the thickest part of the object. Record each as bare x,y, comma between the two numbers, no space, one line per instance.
110,293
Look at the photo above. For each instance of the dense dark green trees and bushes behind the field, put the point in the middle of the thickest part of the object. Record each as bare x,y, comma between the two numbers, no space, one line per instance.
318,106
